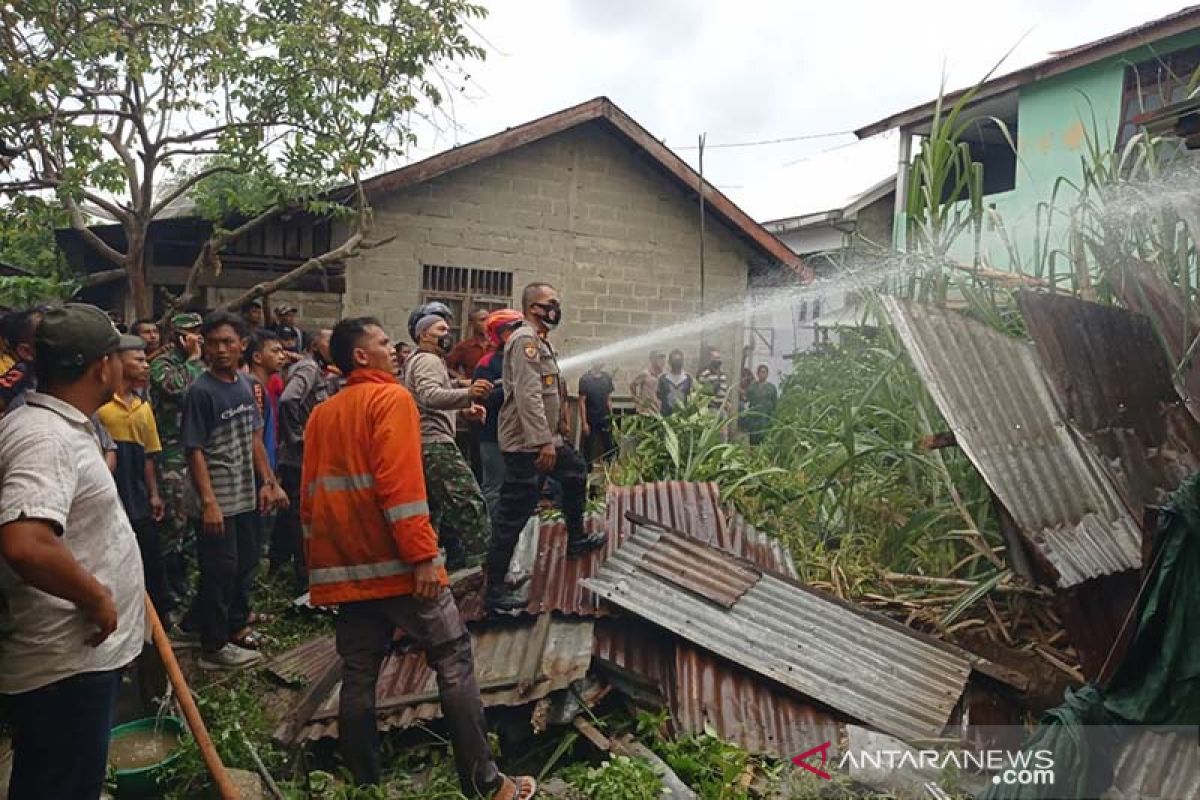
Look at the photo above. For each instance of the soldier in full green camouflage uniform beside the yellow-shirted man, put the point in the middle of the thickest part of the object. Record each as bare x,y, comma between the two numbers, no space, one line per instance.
172,372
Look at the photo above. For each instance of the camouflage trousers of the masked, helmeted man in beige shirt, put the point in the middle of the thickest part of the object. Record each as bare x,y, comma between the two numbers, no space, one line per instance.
457,504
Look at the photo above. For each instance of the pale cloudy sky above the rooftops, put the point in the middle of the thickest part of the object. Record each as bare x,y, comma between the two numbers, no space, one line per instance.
753,70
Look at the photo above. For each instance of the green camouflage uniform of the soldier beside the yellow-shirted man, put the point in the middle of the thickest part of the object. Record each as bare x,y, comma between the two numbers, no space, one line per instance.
171,375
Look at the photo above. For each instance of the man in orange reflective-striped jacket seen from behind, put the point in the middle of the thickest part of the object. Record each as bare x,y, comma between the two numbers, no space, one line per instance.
374,554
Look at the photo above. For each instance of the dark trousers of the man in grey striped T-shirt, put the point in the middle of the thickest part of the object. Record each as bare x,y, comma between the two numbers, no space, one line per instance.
227,573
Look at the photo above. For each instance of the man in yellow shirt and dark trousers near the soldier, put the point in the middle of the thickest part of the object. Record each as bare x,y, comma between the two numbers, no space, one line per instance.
133,426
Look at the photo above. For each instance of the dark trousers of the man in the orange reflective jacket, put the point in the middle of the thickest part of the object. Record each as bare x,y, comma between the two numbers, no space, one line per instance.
364,634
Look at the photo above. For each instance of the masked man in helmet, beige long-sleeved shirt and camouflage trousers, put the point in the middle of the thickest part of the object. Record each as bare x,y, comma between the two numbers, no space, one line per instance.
457,506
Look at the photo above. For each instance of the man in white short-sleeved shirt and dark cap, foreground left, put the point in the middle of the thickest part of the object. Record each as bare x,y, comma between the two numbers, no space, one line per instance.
74,613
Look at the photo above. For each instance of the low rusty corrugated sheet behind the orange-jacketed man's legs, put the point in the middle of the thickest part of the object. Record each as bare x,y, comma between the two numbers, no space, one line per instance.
517,663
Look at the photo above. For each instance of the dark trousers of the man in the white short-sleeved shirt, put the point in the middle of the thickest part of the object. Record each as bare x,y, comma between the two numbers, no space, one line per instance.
61,738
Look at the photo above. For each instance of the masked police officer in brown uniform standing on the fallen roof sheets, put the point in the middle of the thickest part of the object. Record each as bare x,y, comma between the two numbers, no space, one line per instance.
532,426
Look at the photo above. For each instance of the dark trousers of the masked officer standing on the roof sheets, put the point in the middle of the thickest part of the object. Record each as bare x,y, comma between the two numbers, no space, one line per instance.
519,501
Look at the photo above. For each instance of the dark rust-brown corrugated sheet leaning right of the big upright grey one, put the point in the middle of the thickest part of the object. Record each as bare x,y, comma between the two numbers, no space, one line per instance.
1114,384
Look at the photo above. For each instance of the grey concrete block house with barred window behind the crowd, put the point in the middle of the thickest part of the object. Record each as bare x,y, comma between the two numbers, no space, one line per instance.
585,199
